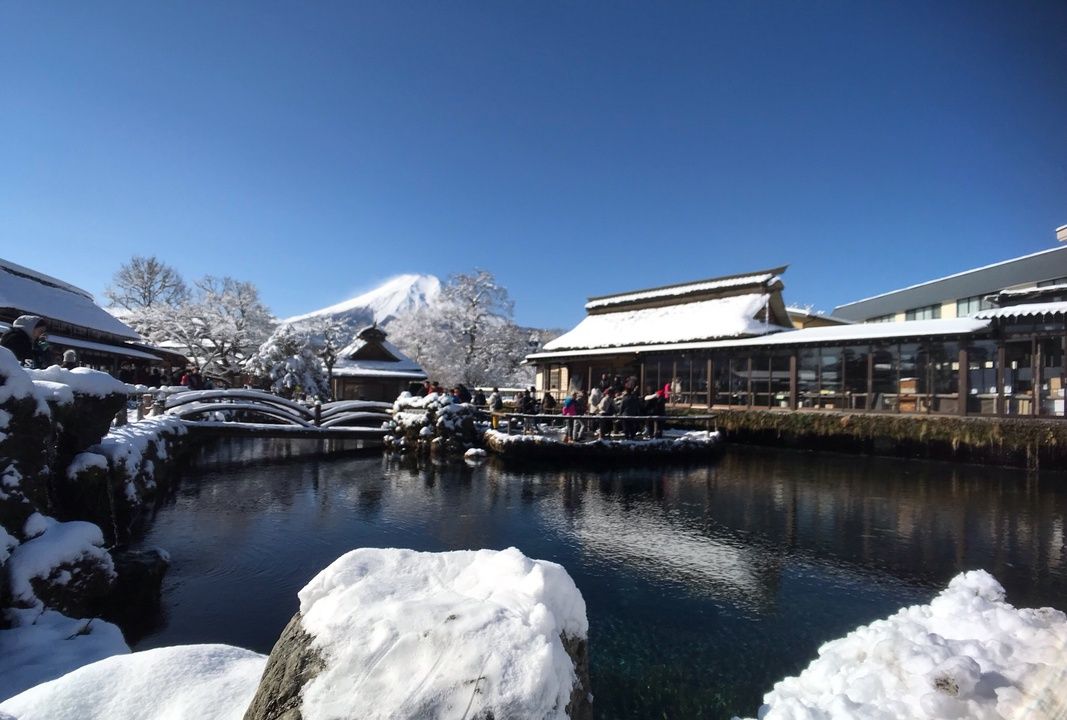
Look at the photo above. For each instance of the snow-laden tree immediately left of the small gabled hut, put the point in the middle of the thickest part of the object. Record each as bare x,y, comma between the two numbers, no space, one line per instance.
289,362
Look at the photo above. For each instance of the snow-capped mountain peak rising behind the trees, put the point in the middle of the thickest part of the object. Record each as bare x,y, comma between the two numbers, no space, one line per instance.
395,297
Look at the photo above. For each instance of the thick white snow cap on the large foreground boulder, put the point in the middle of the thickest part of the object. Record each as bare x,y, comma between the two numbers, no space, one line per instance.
421,635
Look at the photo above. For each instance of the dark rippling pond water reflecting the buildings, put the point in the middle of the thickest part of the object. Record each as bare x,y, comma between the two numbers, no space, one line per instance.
705,585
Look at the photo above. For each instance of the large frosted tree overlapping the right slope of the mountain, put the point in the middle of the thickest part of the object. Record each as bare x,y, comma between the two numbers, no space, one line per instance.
468,335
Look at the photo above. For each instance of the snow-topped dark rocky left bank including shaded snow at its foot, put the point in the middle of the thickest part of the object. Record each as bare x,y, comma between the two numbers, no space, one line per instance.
73,493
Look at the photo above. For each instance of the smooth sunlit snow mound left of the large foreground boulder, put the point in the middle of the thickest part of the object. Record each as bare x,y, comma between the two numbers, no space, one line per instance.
186,682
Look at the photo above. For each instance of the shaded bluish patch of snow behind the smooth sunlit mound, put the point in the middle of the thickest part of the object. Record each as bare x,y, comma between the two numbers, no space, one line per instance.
50,646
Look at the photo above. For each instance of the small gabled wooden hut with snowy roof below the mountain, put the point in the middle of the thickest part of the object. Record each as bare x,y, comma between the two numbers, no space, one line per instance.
372,369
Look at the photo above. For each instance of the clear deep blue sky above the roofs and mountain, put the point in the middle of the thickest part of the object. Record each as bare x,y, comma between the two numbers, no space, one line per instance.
571,149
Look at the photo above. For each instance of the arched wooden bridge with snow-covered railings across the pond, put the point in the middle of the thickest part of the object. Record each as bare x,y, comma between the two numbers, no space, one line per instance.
261,414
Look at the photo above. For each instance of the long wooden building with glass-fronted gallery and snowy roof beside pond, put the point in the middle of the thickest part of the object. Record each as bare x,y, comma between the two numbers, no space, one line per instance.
1006,360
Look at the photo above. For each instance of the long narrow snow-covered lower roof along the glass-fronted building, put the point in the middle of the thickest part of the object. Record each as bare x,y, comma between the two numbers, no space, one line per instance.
837,334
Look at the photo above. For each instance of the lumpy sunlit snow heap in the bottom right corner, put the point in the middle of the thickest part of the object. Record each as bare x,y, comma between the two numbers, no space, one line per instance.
968,654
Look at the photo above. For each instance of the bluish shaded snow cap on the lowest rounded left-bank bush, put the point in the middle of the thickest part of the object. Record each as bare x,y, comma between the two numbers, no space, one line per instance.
53,545
